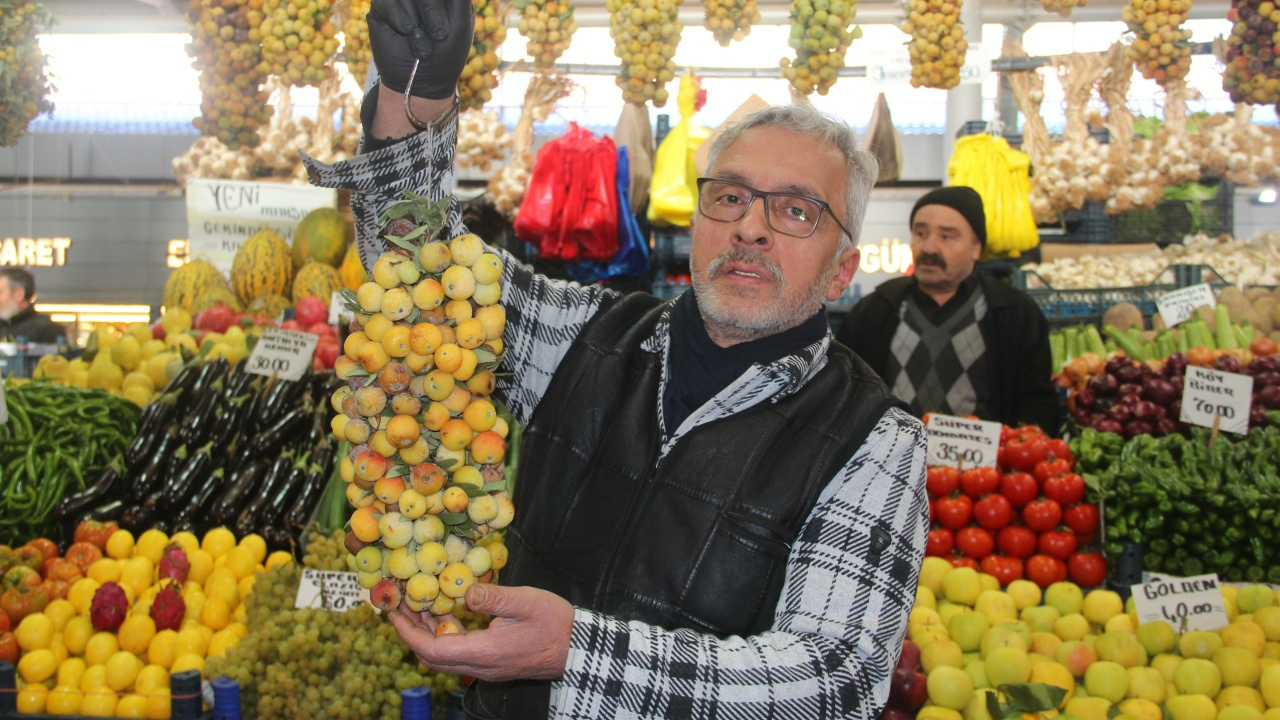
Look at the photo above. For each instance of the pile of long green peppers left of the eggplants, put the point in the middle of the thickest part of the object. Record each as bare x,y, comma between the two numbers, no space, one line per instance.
57,440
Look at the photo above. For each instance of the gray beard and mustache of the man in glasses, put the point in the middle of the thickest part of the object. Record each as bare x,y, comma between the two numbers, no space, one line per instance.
774,320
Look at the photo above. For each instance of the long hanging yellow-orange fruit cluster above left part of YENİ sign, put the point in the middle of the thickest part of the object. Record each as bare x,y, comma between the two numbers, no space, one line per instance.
227,48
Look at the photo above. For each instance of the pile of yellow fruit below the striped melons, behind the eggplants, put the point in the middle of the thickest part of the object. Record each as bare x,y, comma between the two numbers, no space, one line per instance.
132,364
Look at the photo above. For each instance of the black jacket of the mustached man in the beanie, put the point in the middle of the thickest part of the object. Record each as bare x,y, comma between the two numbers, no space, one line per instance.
1017,336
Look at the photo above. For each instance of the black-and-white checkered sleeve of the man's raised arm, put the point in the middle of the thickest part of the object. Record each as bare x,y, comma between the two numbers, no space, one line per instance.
543,316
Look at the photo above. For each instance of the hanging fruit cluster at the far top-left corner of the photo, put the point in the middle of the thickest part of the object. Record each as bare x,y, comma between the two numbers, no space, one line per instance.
24,84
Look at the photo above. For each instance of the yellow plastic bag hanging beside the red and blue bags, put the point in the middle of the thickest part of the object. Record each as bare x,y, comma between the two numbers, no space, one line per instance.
674,192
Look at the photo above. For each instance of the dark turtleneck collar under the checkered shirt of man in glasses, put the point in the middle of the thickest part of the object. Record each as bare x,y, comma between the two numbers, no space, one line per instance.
698,368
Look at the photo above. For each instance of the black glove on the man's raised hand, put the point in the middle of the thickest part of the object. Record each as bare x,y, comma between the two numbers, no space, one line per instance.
436,33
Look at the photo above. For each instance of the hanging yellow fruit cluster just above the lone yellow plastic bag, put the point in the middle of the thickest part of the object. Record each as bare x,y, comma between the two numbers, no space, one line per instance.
646,35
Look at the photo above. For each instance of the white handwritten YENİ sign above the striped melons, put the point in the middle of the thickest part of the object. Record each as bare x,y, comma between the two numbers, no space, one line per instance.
223,215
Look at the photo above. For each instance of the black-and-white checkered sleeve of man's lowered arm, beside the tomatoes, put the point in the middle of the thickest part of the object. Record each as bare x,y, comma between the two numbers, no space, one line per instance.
839,627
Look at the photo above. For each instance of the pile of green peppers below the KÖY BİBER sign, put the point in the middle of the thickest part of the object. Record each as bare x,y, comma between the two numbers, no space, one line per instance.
1192,505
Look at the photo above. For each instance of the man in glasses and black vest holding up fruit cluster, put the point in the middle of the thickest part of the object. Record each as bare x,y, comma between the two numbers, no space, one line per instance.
720,513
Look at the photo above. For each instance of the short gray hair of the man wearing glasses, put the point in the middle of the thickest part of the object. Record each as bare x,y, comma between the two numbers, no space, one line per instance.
806,120
